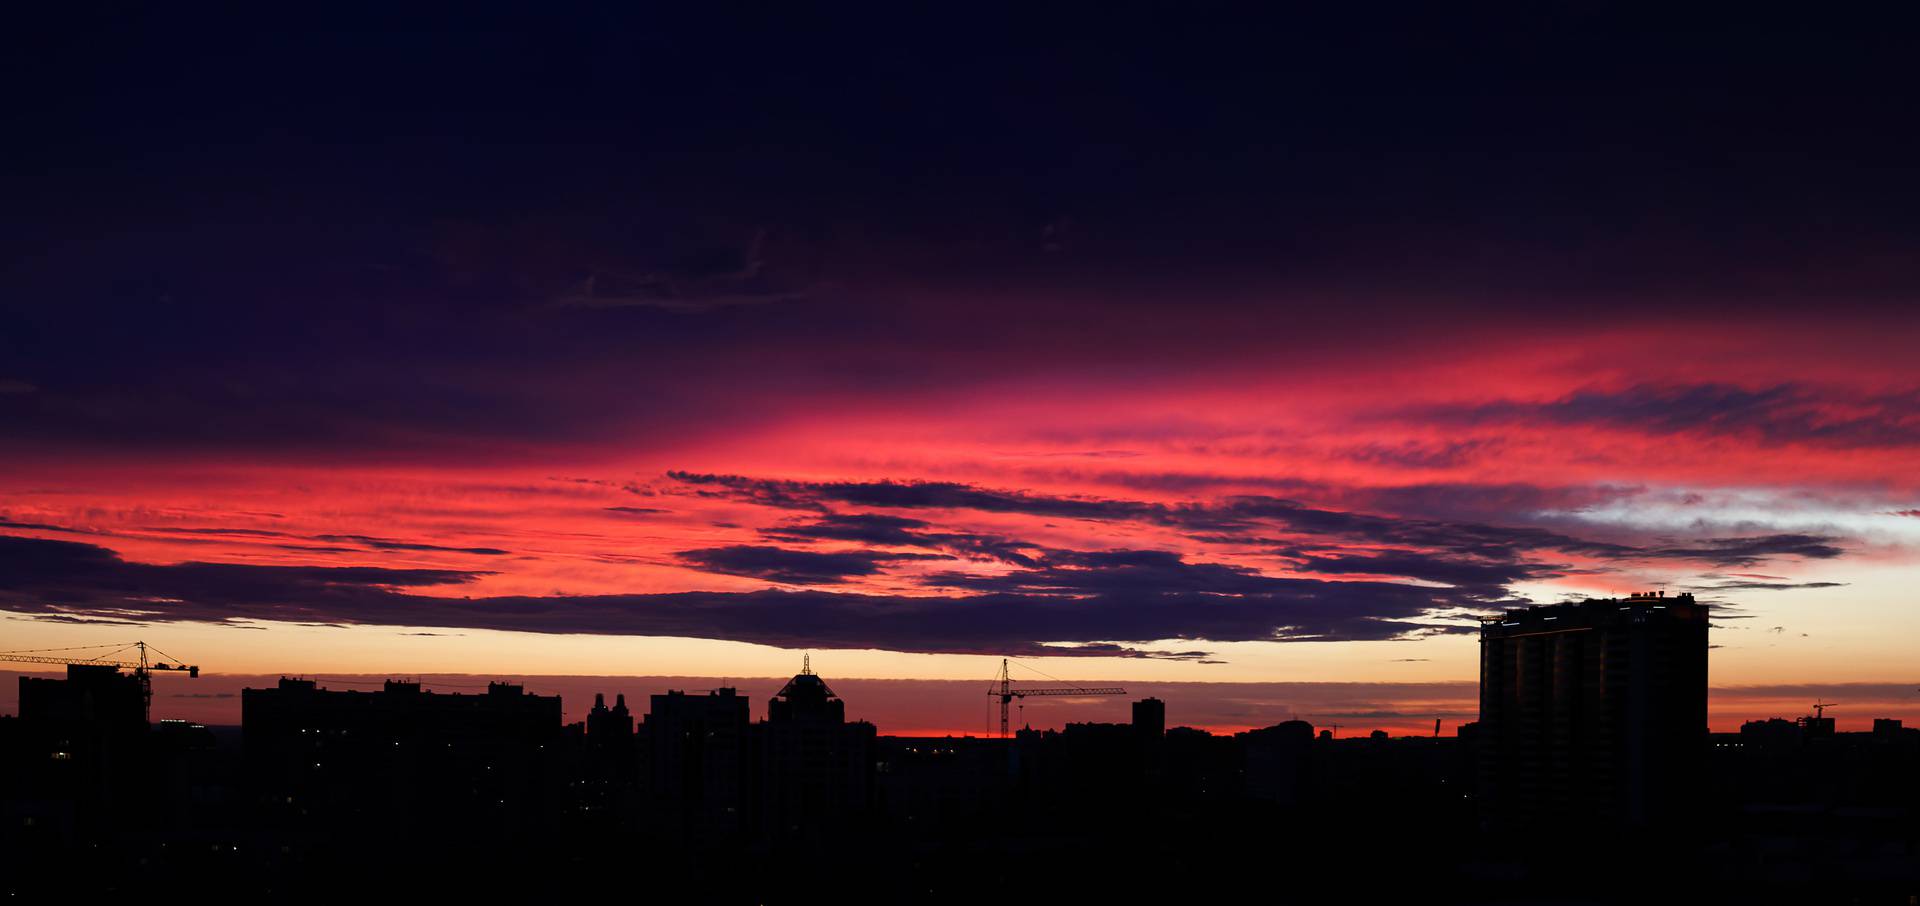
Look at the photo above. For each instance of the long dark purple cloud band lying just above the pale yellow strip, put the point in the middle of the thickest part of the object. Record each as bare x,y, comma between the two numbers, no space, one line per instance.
1090,598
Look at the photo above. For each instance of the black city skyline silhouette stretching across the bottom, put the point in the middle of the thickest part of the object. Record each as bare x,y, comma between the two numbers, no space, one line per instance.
1589,728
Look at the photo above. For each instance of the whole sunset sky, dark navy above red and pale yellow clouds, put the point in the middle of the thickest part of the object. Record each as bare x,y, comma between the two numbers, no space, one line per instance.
1239,364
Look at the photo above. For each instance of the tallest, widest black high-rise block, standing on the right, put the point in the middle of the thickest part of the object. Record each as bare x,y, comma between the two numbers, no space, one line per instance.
1593,713
